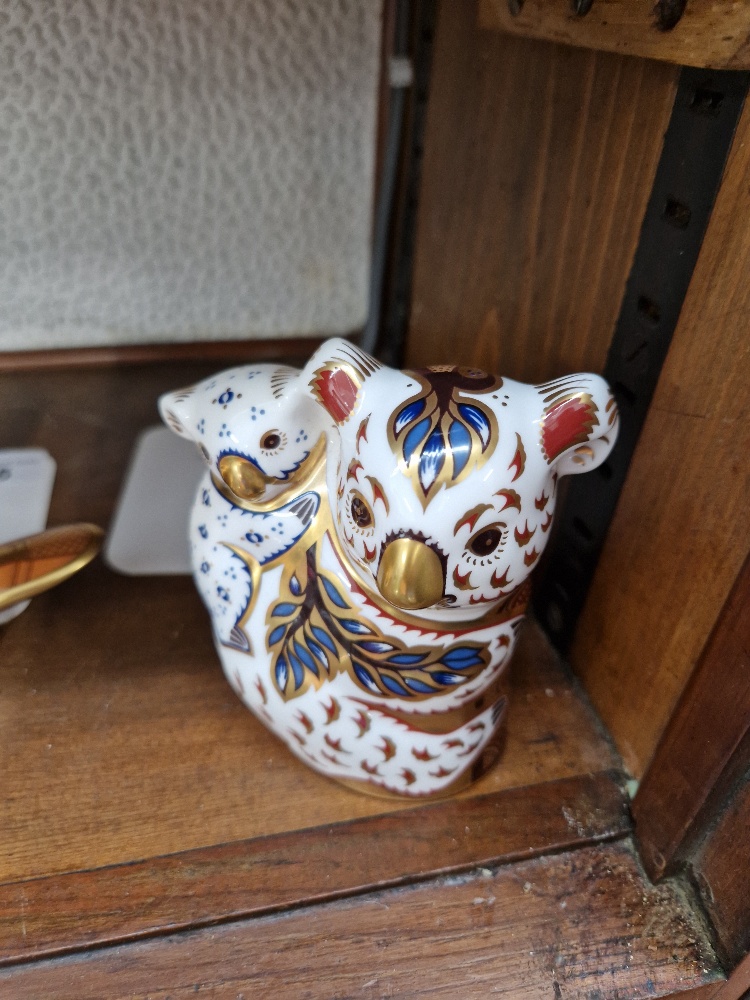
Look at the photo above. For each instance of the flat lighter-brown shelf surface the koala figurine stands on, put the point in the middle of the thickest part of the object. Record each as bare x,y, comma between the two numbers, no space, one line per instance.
122,740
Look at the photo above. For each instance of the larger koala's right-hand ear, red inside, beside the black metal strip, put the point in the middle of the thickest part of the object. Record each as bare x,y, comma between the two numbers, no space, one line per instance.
579,422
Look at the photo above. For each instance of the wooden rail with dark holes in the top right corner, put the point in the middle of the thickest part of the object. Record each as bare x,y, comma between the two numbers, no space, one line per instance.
714,34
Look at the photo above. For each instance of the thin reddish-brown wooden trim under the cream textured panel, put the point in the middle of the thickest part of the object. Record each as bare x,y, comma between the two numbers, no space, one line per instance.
136,354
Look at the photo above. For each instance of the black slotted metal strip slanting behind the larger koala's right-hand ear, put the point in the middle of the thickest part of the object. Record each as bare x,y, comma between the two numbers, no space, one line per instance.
696,145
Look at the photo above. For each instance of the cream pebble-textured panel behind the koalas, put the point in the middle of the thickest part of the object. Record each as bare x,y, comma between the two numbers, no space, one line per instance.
174,170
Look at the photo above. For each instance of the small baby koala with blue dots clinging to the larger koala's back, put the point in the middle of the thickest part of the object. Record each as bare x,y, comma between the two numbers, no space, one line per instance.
255,430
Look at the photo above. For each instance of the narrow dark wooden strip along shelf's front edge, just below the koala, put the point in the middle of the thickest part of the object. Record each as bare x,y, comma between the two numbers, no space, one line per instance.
65,913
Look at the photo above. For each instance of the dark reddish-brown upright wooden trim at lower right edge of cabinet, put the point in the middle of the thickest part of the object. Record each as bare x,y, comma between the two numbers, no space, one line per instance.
707,728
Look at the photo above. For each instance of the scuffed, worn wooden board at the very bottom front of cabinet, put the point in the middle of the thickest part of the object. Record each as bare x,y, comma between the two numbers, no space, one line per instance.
577,925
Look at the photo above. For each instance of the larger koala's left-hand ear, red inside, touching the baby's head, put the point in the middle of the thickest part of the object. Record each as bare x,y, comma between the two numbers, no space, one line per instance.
335,375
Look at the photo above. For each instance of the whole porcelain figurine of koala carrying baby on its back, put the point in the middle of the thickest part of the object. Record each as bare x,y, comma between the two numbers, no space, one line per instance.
363,540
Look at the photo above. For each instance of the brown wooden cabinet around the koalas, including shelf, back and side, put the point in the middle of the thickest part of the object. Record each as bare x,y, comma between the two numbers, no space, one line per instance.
151,846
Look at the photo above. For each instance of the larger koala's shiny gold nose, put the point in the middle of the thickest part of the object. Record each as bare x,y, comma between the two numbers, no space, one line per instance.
410,575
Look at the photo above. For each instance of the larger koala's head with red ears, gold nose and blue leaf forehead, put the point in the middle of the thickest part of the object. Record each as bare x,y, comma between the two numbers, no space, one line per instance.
455,472
